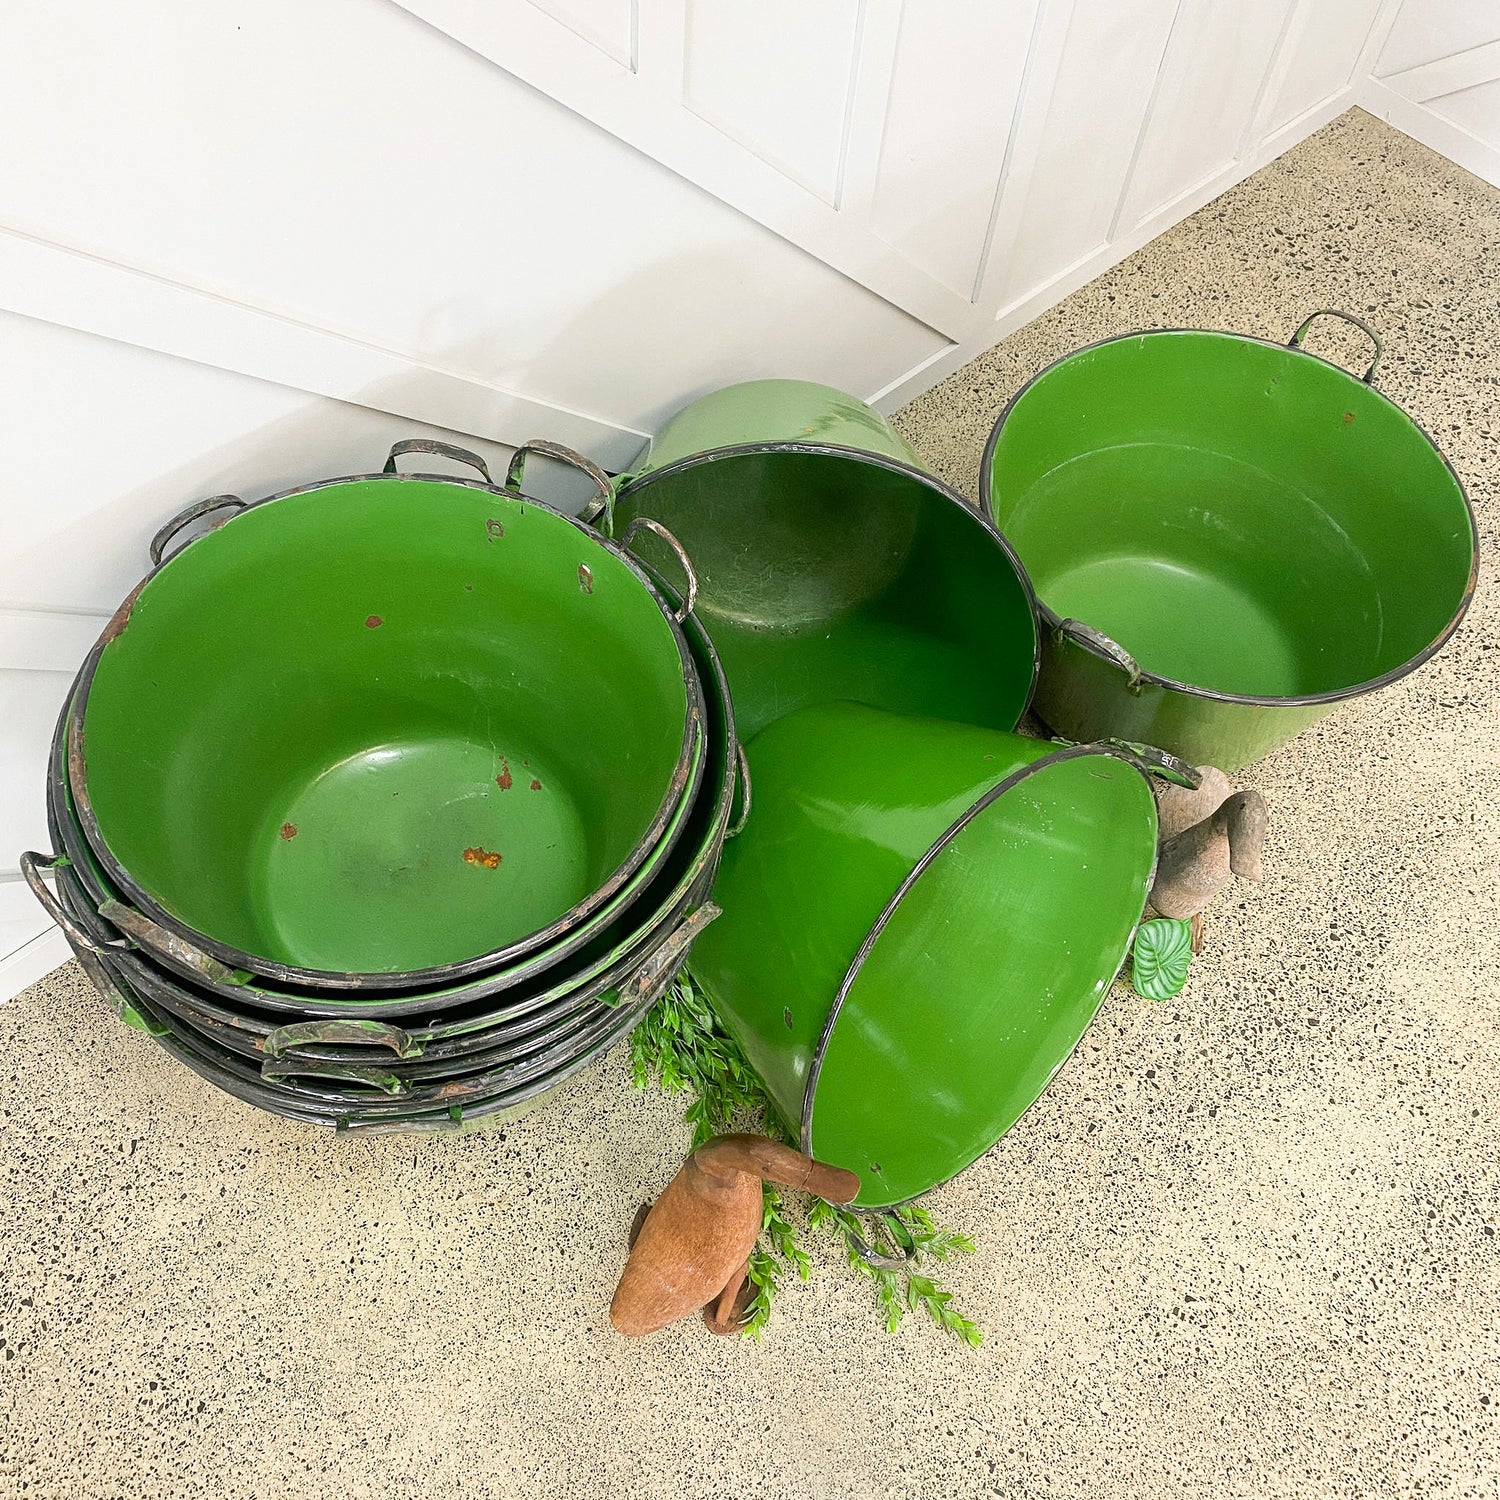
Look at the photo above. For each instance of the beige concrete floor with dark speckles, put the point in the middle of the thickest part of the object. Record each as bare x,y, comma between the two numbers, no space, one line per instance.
1244,1247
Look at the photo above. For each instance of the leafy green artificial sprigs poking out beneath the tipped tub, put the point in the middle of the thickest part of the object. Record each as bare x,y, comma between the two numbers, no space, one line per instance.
682,1046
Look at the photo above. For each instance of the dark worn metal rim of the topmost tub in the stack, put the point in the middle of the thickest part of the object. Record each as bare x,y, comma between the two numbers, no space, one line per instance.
683,782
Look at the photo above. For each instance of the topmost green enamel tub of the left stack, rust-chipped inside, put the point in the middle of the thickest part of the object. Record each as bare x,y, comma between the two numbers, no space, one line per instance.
386,733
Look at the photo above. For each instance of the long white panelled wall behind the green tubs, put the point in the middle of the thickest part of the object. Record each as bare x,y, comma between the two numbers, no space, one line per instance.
247,247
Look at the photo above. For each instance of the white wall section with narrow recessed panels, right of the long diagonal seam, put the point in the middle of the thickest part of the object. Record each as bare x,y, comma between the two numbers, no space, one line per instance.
965,160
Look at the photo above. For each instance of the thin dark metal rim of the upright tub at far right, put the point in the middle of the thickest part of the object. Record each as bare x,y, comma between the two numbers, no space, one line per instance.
1054,622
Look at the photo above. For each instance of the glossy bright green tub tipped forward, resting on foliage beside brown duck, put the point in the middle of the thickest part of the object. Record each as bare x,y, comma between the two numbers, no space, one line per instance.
949,907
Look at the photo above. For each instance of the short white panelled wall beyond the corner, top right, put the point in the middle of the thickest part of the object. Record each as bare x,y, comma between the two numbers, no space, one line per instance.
1438,77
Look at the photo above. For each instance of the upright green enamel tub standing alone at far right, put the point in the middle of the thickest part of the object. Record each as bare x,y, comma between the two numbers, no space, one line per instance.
1229,538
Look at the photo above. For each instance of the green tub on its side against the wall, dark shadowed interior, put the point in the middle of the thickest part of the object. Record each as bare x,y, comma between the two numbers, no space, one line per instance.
832,565
